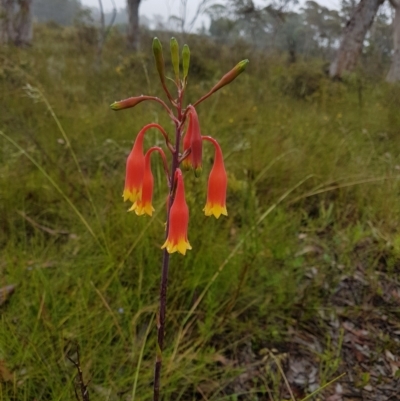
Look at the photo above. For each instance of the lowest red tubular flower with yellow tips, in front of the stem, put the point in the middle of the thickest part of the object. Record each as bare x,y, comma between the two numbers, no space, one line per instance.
177,240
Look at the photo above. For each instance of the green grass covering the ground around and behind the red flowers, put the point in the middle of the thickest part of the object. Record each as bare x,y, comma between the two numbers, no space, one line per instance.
314,183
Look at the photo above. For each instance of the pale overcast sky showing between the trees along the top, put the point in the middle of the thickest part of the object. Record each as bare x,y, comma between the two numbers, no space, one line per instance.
166,8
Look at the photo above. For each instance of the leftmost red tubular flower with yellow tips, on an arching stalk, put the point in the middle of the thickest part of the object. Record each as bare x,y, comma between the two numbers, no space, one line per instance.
135,166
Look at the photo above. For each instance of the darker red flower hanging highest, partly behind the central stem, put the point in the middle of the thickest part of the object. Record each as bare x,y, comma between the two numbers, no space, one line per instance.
193,141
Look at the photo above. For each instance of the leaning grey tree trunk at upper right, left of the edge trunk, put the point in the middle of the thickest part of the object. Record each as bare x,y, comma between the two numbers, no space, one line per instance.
353,37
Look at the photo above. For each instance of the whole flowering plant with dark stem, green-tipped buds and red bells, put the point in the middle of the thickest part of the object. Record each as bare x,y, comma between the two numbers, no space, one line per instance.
184,149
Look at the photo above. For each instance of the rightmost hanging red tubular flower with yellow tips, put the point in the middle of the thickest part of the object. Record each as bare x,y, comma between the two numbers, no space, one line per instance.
217,184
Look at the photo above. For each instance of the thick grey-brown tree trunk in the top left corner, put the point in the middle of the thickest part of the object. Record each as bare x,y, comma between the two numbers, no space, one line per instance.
16,22
